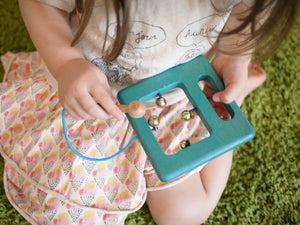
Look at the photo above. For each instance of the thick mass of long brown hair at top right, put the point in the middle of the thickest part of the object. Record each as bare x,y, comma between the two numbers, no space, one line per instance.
266,37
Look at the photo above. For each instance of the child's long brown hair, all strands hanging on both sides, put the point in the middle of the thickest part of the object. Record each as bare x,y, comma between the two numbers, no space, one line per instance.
267,36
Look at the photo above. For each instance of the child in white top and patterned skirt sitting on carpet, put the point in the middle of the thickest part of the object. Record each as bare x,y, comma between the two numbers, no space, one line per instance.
115,46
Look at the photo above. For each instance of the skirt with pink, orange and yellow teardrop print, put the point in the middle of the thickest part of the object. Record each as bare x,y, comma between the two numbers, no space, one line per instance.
46,182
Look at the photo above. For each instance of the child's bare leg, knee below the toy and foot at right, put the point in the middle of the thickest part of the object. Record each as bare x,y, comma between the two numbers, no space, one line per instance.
192,201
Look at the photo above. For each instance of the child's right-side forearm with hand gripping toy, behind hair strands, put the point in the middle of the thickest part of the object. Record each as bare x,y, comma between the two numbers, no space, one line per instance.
233,55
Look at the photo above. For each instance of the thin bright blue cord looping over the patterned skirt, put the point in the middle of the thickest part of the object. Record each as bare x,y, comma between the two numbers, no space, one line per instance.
85,157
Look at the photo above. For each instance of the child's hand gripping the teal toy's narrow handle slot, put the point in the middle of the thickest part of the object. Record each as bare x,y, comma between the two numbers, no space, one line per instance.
233,70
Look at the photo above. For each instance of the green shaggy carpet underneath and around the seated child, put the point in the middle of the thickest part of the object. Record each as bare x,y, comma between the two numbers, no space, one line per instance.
263,187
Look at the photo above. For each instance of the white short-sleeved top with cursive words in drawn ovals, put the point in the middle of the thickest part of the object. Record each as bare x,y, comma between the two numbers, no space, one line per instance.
162,35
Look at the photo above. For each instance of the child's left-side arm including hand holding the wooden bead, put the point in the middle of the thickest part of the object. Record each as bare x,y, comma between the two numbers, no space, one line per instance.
83,89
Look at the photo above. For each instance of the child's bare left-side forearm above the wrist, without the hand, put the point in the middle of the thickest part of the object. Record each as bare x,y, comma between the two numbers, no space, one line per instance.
50,32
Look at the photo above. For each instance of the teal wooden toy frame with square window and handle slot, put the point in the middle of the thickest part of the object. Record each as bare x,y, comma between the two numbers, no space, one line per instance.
224,135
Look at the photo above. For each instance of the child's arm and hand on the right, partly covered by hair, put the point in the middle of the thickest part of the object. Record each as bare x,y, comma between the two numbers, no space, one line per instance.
233,69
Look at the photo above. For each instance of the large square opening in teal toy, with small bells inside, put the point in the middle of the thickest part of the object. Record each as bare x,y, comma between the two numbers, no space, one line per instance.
173,133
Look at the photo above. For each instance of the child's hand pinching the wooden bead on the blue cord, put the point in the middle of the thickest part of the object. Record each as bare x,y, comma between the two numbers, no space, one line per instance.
84,91
